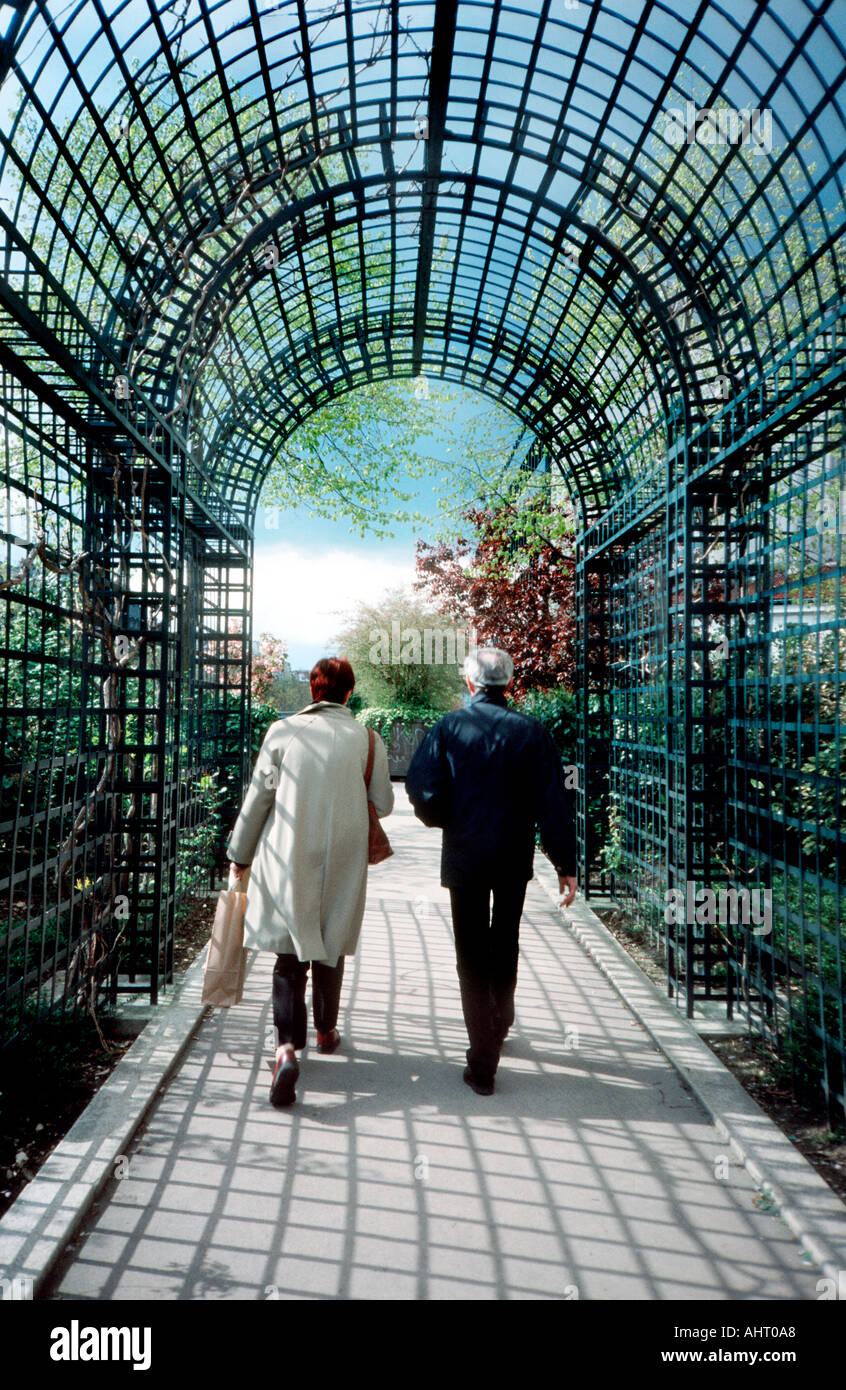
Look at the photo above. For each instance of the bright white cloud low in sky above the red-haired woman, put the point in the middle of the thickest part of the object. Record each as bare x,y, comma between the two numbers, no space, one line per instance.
302,596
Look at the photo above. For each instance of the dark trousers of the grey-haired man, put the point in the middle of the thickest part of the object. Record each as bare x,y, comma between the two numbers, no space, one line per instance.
487,951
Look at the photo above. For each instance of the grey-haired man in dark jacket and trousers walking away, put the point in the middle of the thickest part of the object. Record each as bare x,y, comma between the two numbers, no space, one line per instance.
488,776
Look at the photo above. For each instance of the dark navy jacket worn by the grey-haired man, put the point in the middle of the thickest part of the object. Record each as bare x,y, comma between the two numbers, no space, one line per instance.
488,775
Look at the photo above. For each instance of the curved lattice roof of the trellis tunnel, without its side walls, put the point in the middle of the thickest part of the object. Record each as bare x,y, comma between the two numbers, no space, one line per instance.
248,209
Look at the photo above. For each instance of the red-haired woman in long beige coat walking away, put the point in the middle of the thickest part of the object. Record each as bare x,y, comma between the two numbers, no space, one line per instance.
304,832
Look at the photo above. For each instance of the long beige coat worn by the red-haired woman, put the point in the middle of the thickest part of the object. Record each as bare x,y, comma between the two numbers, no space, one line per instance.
304,829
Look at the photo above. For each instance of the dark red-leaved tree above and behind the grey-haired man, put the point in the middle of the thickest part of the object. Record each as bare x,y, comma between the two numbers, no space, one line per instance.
519,597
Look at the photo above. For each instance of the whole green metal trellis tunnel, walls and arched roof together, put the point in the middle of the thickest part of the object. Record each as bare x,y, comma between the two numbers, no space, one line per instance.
219,216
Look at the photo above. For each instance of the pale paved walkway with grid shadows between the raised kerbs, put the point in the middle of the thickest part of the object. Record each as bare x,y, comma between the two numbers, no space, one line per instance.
590,1174
